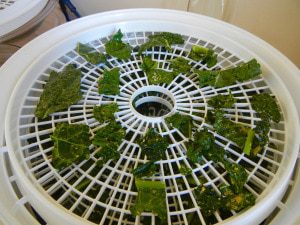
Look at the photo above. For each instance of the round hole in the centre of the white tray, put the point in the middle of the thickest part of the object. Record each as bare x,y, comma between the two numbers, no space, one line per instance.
153,103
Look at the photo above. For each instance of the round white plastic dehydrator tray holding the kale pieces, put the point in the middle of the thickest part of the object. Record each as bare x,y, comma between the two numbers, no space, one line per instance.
27,139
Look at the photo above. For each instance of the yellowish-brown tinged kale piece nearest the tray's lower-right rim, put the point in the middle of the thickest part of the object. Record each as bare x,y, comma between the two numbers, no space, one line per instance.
236,201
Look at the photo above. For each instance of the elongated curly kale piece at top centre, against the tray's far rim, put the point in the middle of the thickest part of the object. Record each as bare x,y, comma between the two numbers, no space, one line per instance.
164,39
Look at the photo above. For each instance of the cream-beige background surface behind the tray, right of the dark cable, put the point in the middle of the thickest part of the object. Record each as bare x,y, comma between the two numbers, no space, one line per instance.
275,21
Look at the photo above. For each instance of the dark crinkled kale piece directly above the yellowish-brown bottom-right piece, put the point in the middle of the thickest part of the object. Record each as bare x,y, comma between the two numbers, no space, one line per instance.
237,174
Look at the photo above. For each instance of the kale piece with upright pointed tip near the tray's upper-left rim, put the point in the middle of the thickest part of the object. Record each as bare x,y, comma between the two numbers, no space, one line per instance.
117,48
